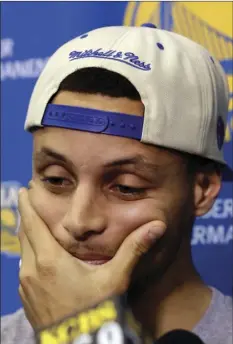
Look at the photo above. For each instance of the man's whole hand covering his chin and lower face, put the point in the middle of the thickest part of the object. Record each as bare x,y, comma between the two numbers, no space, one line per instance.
54,284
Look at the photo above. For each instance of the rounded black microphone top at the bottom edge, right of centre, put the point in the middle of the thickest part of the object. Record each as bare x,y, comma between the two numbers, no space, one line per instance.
179,337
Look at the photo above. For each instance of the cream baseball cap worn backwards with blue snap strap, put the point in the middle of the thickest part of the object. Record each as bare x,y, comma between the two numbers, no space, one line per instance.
184,90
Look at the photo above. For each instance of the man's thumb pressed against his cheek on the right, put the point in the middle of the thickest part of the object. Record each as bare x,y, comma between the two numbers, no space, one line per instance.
134,246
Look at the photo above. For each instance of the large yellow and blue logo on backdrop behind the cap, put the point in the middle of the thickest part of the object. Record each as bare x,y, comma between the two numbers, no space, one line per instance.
208,23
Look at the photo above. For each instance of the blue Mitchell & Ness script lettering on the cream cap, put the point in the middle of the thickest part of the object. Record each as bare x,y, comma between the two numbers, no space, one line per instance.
129,57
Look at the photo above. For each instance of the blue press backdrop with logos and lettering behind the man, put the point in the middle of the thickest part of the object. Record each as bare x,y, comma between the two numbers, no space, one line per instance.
30,33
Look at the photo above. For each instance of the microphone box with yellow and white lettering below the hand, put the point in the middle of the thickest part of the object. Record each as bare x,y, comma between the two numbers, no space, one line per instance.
109,322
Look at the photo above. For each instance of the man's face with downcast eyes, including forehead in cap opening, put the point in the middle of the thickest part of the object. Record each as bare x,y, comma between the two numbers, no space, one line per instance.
93,190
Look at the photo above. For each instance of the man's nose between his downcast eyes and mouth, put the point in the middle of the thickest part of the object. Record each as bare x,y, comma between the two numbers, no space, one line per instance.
85,216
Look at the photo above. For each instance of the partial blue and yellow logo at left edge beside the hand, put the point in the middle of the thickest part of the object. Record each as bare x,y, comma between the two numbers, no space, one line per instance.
10,218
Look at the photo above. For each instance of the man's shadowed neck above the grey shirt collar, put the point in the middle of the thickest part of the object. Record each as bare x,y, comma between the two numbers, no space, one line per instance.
179,300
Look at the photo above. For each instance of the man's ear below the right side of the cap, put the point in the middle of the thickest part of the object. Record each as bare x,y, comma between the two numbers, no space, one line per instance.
206,190
